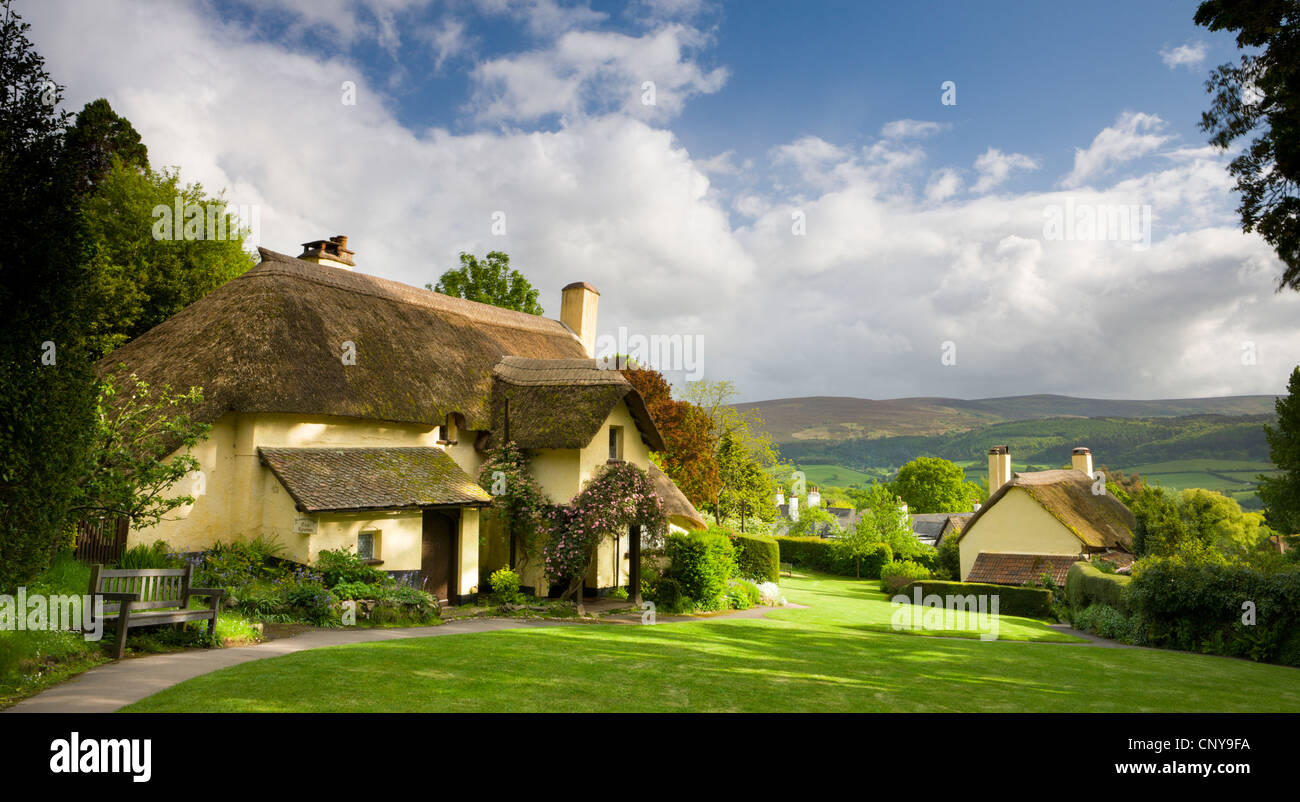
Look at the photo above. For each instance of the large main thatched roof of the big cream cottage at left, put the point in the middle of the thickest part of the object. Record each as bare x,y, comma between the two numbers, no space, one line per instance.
272,341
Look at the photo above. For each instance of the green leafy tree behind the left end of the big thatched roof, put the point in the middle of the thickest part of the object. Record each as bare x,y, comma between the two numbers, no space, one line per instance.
141,278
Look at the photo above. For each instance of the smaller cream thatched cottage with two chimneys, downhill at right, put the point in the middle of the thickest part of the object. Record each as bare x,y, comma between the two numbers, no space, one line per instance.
1043,522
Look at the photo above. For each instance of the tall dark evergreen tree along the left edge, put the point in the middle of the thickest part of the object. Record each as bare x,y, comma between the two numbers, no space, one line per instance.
47,389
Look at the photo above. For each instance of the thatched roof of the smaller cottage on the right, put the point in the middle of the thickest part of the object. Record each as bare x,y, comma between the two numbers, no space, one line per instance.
1099,522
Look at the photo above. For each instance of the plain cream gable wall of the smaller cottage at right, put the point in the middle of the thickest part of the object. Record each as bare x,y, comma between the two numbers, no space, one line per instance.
1016,524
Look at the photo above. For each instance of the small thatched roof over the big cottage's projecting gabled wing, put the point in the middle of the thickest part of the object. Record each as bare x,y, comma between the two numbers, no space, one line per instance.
562,404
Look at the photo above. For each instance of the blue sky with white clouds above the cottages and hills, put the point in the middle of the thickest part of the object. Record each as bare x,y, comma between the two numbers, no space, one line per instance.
925,223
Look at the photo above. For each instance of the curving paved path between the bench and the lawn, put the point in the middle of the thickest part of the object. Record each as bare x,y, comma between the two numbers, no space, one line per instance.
114,686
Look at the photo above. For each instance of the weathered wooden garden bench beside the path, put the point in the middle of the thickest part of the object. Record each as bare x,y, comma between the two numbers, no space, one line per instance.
150,597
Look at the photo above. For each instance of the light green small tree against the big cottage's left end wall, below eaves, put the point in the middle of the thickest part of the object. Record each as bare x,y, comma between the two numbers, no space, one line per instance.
135,431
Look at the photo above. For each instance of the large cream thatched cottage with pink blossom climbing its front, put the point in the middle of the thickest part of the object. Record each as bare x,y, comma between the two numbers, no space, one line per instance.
353,411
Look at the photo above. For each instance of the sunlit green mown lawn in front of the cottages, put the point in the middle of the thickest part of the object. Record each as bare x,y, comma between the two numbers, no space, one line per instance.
827,658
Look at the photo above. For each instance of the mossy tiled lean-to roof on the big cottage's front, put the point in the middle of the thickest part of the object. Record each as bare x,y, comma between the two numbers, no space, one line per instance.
343,480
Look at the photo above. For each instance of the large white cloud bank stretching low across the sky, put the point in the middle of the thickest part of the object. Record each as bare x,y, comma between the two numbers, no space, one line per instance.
892,262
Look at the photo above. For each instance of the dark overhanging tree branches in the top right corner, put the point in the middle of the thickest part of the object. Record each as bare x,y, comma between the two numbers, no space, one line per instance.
1262,94
